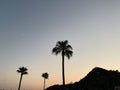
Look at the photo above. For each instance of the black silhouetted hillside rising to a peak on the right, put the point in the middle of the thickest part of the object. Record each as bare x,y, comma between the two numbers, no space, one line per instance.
97,79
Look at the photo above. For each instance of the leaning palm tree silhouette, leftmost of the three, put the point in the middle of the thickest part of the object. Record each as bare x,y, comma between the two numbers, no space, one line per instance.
22,71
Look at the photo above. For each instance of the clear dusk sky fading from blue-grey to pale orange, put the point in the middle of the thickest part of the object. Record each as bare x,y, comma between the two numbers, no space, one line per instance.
29,29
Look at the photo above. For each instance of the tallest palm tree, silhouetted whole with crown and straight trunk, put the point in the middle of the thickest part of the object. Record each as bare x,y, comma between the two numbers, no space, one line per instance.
63,48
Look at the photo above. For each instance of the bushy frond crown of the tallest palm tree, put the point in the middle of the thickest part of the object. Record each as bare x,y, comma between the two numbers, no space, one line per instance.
64,48
